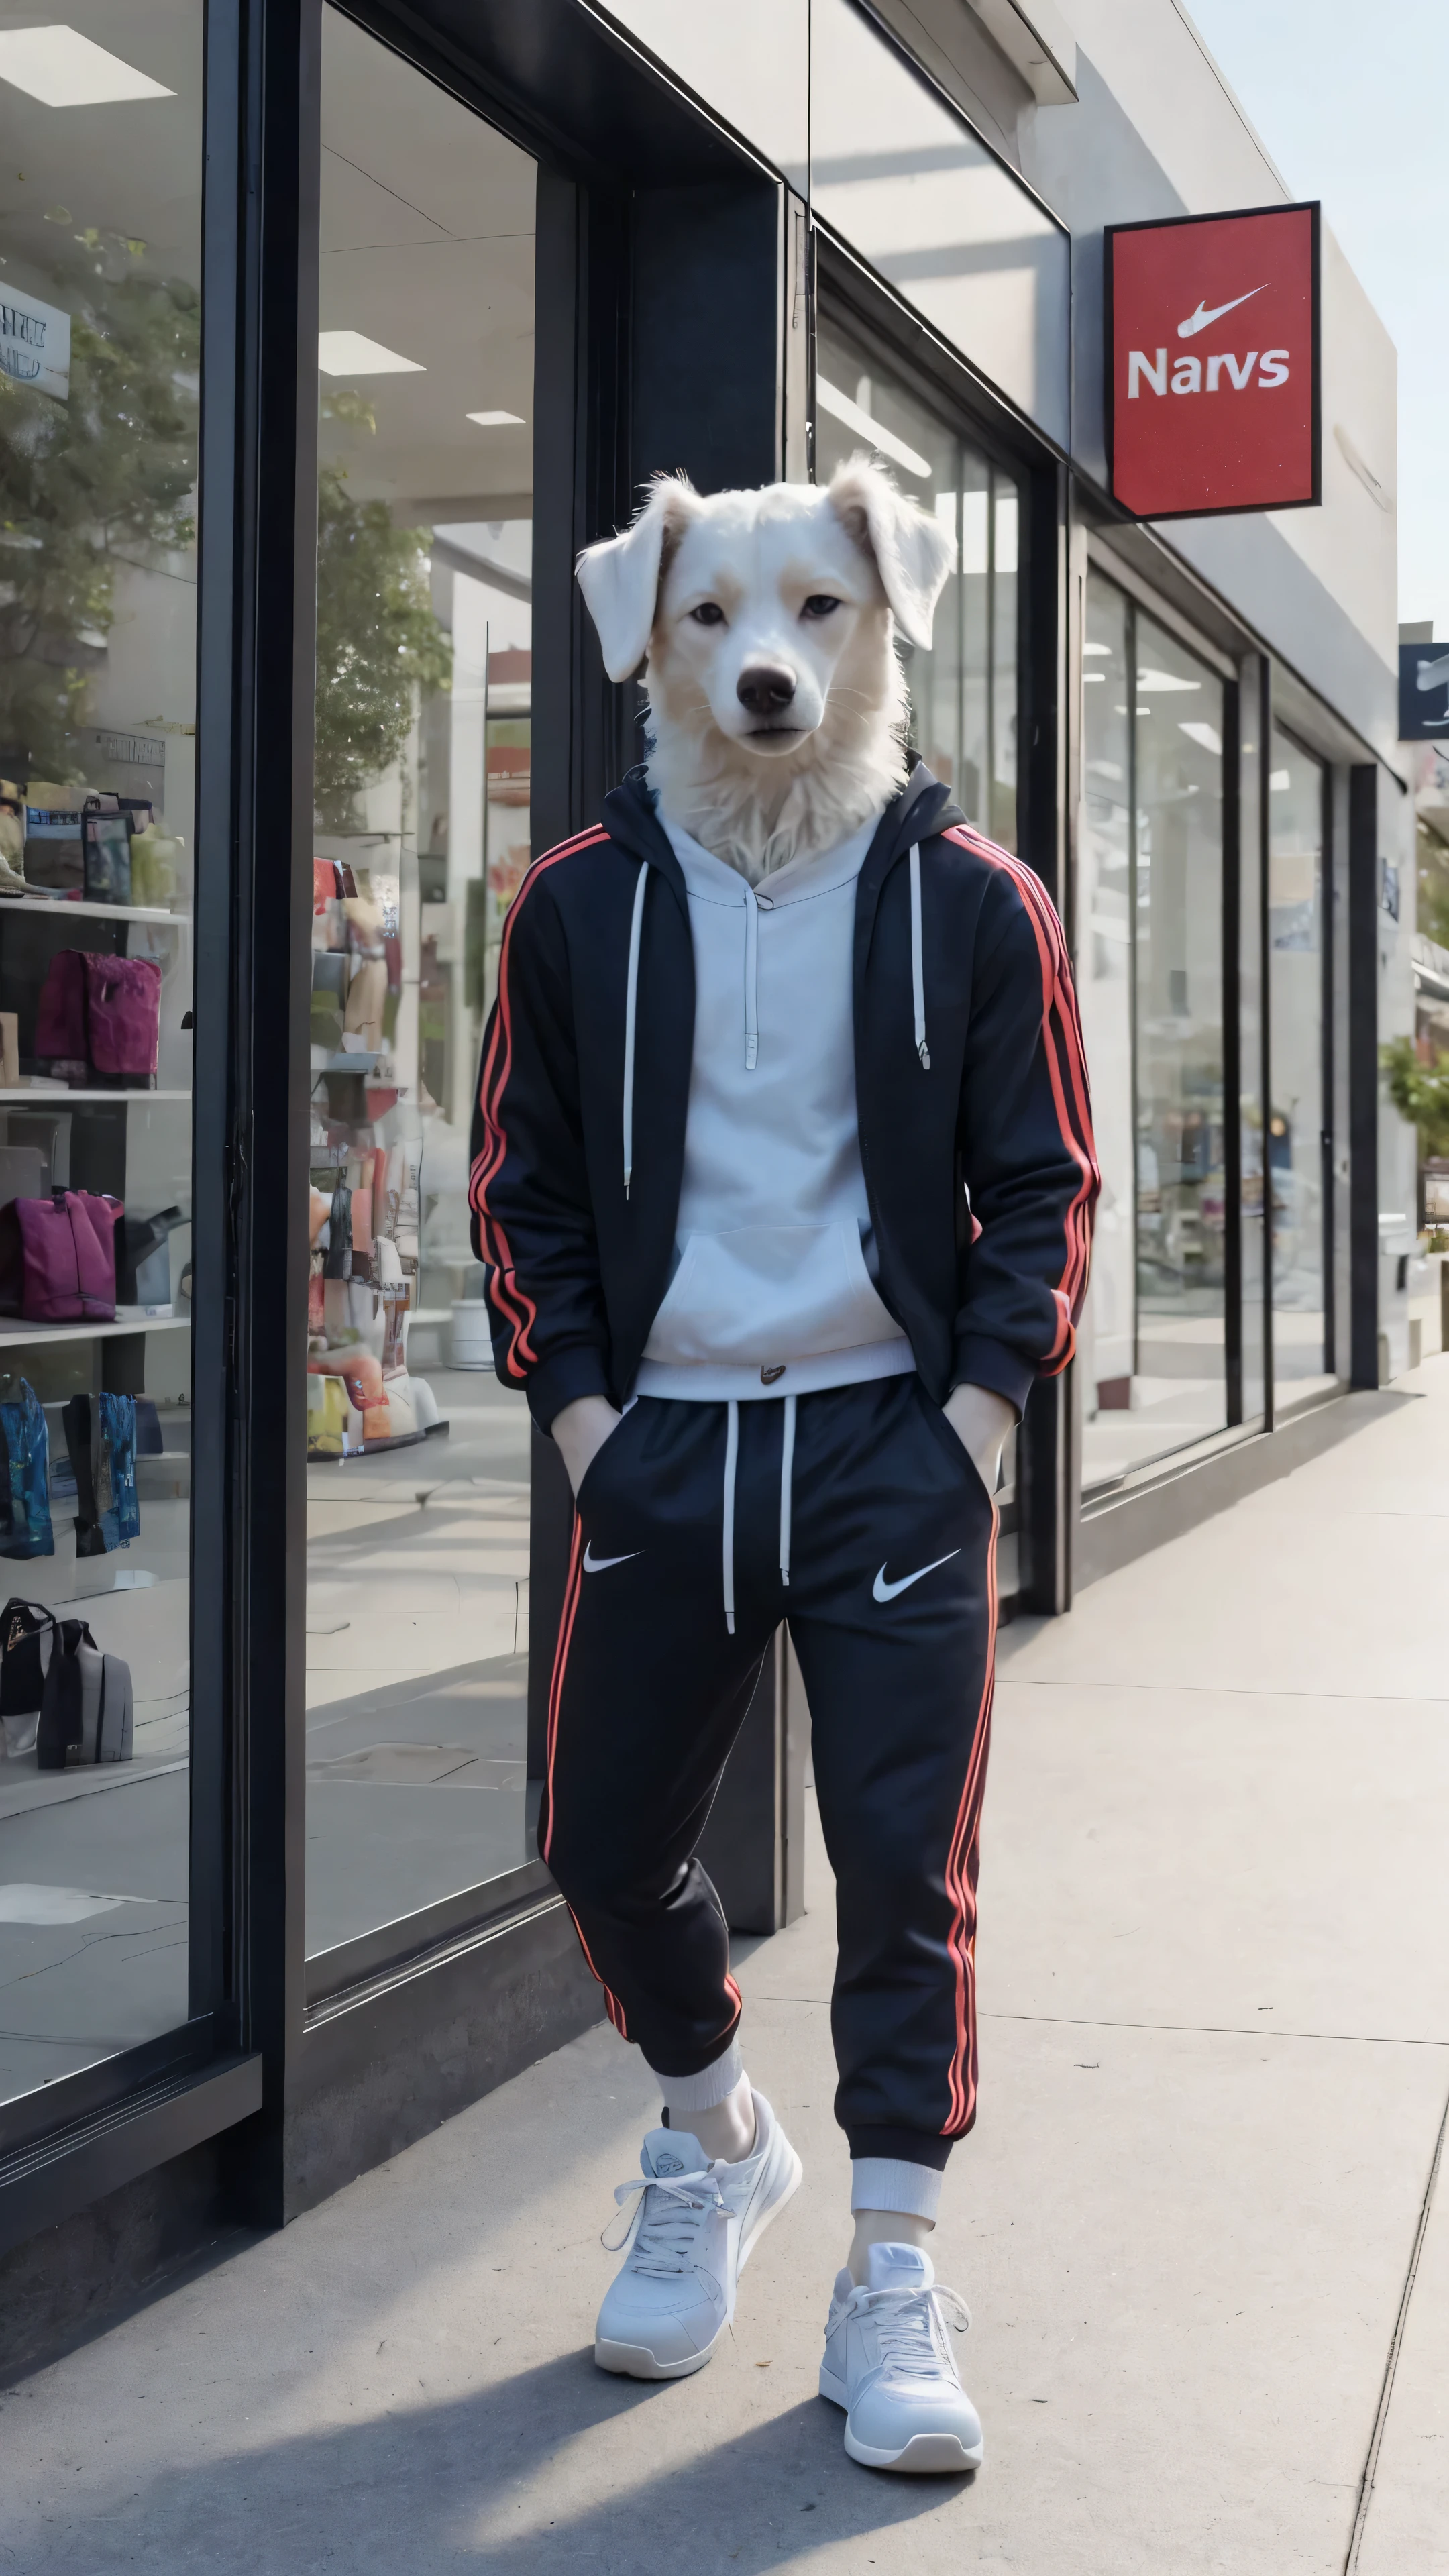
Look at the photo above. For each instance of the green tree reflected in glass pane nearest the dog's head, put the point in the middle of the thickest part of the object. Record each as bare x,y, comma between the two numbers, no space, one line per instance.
378,638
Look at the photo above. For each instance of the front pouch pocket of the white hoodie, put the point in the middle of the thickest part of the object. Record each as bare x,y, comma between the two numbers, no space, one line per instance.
770,1294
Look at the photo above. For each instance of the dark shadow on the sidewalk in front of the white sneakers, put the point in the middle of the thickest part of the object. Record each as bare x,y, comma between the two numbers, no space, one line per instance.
437,2487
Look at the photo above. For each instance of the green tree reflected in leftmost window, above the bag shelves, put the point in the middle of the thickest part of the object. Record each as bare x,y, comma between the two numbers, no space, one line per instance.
89,483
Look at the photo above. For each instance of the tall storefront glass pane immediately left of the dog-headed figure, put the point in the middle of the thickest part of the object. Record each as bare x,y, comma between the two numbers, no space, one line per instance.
416,1457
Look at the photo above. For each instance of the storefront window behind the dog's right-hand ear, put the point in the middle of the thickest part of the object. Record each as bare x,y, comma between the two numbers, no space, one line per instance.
963,692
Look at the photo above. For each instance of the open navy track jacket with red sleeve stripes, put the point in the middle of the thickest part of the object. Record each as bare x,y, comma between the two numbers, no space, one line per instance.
978,1153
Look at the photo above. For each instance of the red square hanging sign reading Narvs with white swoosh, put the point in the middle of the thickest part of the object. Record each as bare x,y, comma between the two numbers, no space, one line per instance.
1213,362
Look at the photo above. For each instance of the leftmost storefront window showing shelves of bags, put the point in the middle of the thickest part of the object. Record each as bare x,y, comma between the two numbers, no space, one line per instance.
99,442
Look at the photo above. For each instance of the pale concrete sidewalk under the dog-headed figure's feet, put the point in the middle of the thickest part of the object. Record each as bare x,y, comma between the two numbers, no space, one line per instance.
1216,2062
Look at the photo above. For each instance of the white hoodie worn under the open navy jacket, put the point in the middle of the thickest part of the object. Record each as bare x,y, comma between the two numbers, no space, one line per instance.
772,1289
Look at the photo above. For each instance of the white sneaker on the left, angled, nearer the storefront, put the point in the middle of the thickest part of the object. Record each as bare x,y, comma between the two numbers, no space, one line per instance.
690,2240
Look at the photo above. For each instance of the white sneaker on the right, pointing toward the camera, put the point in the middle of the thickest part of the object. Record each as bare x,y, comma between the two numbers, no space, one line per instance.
891,2366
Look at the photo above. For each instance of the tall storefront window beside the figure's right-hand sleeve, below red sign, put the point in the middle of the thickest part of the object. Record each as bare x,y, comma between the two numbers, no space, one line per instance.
1151,988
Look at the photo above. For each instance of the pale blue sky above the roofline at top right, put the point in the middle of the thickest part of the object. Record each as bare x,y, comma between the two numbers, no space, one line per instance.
1347,102
